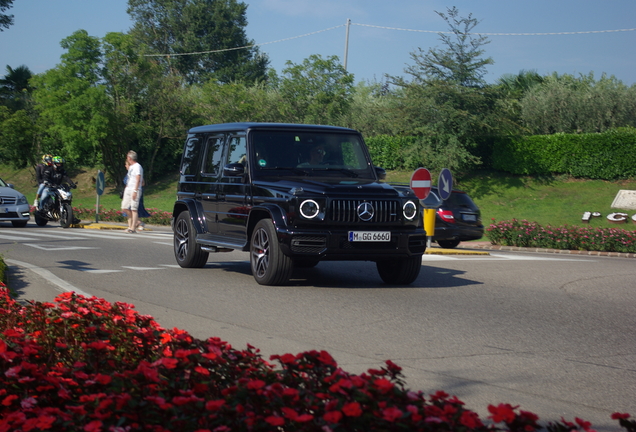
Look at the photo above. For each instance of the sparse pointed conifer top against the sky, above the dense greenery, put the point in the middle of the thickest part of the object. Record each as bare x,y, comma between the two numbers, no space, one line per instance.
461,62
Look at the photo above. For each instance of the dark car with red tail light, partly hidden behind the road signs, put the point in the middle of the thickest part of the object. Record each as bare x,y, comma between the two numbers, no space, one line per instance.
457,220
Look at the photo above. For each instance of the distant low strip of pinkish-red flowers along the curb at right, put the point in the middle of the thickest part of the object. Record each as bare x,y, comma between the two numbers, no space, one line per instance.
530,234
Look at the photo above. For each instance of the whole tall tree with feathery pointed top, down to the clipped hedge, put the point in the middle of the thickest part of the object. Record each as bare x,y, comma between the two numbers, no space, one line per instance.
446,103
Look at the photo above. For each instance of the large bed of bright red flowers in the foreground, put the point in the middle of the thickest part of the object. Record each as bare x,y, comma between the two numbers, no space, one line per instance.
85,364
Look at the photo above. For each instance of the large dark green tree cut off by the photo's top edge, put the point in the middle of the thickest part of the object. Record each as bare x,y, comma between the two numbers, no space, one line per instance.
202,39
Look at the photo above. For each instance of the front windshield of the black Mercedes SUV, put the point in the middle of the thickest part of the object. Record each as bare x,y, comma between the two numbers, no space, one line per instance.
310,153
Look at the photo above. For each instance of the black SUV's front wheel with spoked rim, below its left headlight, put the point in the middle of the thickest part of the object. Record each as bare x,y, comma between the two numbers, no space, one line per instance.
270,266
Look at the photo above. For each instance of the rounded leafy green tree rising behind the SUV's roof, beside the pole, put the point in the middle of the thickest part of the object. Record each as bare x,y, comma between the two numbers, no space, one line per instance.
317,91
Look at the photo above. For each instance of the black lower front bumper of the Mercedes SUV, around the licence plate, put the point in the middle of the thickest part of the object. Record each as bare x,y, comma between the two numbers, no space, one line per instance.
335,245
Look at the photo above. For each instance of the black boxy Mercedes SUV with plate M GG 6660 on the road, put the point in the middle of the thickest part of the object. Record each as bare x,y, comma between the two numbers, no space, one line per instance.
292,195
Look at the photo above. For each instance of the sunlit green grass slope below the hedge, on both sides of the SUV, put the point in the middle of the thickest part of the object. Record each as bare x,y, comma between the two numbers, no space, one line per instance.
549,201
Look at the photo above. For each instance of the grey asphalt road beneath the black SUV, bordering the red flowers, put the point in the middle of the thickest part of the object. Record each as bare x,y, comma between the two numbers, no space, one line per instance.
554,334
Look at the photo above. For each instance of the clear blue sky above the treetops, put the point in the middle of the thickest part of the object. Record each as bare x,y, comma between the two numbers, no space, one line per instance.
375,47
